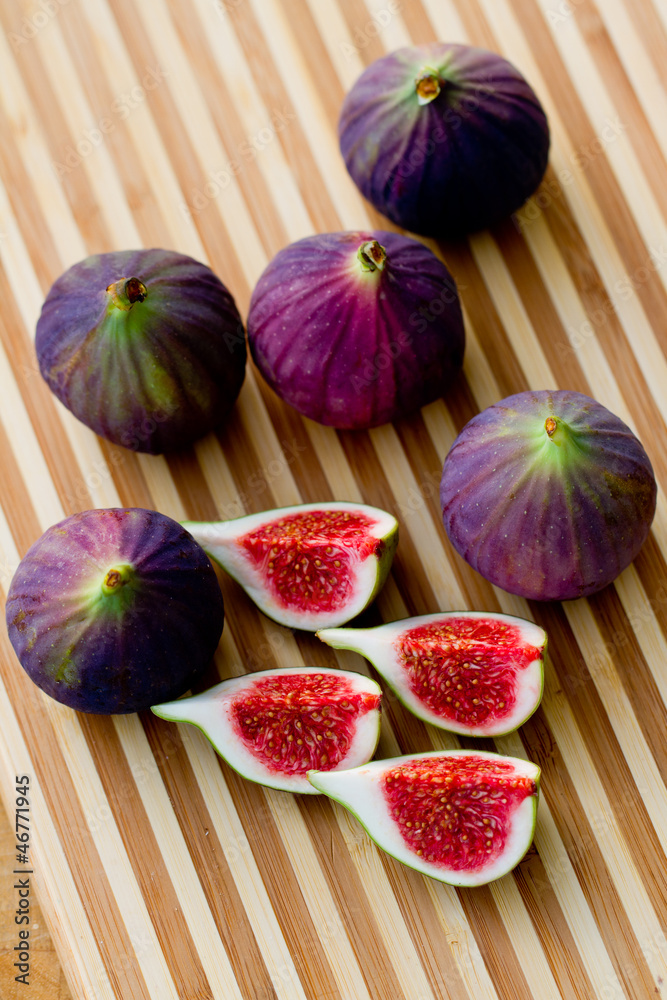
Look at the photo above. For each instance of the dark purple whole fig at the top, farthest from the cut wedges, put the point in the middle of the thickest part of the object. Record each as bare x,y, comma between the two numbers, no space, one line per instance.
444,139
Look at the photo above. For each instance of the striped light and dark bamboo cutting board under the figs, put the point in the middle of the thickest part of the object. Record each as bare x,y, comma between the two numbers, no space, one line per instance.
210,127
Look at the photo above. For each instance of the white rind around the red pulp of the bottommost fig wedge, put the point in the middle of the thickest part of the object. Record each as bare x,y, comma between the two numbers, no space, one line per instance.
360,791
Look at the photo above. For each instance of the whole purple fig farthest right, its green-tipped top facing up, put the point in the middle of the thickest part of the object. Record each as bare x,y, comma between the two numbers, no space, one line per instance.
548,495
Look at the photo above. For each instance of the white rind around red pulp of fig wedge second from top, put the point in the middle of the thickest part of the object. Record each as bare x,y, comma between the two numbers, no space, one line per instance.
378,645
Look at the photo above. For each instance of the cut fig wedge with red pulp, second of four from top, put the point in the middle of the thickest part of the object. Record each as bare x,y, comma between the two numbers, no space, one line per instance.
476,673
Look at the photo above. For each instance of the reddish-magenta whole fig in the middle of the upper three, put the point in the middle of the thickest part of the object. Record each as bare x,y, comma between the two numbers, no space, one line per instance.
356,329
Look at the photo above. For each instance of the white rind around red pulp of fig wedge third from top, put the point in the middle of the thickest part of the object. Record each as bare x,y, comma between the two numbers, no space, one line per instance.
211,710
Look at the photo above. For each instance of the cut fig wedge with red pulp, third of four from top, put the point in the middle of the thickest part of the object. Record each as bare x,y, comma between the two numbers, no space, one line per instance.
273,726
